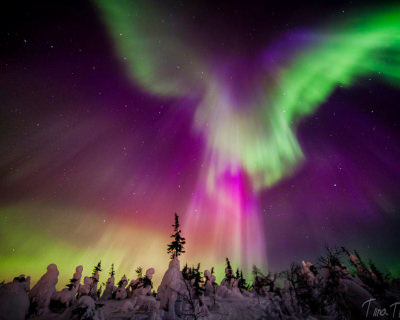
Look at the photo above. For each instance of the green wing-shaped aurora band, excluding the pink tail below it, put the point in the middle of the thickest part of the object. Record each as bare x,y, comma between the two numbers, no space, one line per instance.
258,134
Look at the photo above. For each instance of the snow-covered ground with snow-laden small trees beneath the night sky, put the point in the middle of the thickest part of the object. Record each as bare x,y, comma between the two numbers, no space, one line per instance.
329,292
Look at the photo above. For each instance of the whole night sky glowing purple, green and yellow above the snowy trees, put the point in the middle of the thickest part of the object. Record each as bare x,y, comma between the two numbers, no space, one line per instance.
271,133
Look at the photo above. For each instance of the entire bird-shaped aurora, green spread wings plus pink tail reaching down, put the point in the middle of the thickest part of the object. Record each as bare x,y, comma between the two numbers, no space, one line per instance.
249,136
